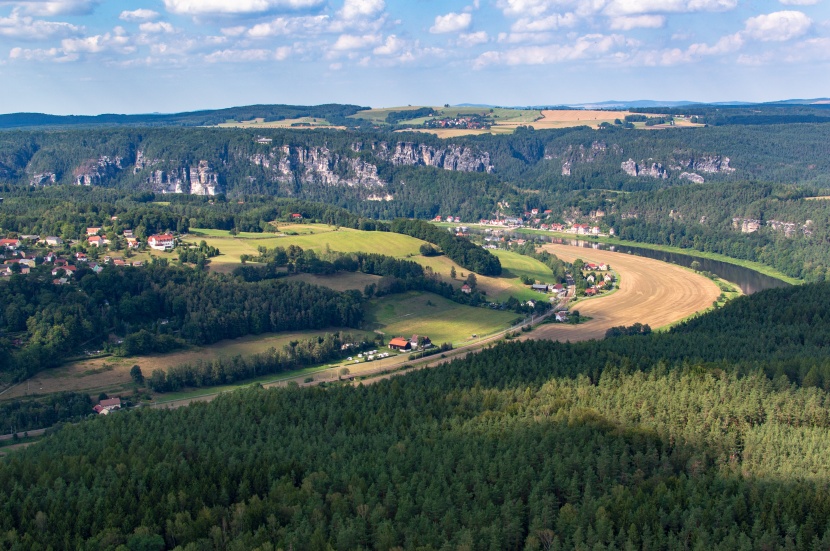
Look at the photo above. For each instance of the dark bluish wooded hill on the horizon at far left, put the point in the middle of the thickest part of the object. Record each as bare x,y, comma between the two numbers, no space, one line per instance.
334,113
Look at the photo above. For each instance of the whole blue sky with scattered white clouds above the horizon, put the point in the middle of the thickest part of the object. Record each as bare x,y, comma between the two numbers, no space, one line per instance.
138,56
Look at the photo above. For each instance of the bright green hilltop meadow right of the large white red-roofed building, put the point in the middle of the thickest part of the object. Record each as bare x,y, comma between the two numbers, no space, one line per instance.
311,236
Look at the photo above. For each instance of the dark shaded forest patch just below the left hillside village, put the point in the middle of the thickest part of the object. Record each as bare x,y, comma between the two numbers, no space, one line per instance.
154,309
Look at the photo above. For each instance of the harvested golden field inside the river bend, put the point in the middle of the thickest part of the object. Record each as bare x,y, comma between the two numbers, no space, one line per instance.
651,292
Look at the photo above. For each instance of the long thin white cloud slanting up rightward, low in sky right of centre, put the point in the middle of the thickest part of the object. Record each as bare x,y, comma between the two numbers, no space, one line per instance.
585,47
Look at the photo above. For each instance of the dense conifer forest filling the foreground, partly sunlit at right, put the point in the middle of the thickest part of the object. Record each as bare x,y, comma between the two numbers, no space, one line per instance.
712,436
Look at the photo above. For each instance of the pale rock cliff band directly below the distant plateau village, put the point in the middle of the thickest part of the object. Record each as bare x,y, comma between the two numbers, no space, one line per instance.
453,157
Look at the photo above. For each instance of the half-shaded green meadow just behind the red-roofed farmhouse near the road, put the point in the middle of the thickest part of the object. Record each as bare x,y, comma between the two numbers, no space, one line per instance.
416,313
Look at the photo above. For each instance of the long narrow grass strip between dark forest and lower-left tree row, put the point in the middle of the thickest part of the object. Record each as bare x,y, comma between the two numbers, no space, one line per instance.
112,375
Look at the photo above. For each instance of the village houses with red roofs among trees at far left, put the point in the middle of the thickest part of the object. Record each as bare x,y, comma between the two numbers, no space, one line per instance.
18,257
